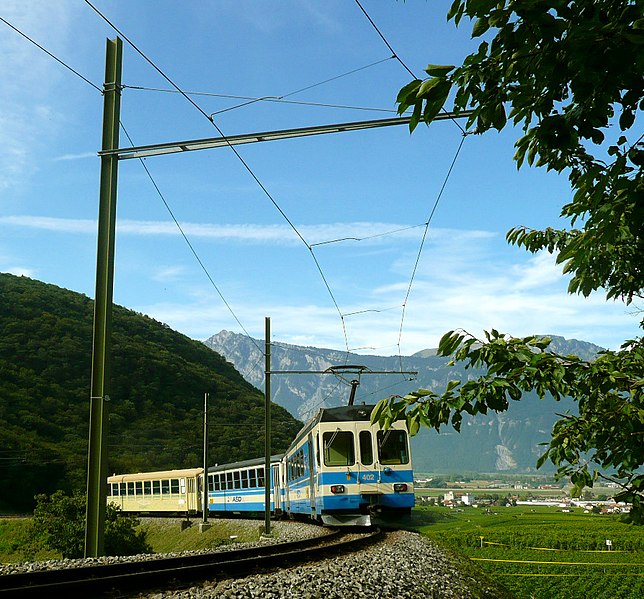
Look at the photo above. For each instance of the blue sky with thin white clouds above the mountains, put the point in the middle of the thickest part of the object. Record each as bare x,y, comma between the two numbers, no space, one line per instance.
387,292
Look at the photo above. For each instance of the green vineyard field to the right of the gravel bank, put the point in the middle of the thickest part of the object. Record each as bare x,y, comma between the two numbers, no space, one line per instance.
543,553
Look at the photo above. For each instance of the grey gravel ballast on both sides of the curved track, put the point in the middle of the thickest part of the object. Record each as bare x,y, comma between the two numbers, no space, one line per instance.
404,565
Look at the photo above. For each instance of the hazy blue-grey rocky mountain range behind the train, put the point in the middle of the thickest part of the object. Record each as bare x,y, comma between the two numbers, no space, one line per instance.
507,442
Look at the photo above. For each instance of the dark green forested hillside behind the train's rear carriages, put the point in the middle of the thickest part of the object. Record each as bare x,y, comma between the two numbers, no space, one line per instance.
159,378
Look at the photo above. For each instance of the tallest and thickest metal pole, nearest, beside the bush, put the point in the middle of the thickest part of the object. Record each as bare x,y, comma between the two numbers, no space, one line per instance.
101,345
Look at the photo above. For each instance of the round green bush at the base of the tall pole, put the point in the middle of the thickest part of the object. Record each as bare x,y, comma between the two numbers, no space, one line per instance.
60,521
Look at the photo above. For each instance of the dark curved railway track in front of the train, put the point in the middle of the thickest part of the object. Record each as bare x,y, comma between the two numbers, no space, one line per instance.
118,580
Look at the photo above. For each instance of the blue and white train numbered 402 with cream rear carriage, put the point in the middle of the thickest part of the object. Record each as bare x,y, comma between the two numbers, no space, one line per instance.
339,470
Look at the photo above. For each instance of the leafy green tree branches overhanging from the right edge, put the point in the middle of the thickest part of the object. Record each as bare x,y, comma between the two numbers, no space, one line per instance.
568,74
